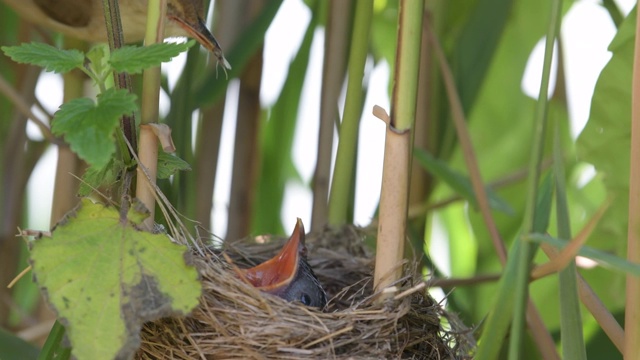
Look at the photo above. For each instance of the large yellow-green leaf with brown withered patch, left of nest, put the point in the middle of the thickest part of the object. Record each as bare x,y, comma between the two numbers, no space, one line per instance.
104,278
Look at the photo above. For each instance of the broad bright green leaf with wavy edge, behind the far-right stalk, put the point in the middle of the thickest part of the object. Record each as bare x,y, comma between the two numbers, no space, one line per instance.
606,139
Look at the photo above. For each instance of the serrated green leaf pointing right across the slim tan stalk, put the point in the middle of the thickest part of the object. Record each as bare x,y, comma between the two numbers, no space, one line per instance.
135,59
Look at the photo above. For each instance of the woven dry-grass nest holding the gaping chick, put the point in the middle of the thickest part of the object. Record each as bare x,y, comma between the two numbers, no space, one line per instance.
236,321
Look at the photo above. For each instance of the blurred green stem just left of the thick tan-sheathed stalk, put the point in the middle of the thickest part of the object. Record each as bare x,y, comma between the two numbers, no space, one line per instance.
345,158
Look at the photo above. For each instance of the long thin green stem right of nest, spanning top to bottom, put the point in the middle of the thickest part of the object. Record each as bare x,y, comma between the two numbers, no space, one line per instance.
526,250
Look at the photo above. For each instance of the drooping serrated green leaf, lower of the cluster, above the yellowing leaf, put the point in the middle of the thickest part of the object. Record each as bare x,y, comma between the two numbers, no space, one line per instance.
89,127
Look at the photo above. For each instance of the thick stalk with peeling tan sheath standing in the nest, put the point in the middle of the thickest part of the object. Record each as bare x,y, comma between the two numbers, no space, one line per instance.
397,159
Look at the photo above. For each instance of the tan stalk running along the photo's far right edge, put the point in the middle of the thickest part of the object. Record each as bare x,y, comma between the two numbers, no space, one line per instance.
632,310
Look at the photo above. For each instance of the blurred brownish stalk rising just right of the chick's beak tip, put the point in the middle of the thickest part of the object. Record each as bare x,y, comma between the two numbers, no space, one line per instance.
333,72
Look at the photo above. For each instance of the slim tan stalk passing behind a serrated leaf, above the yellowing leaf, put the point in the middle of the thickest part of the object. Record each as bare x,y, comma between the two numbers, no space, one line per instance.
148,151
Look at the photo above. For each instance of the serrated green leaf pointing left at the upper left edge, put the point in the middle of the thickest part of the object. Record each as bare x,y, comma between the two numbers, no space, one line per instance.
45,56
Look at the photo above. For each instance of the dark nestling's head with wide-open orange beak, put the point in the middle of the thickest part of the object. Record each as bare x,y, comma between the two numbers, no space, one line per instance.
288,275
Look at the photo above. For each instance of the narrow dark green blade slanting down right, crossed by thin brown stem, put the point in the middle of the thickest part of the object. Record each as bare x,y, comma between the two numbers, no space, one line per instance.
458,182
